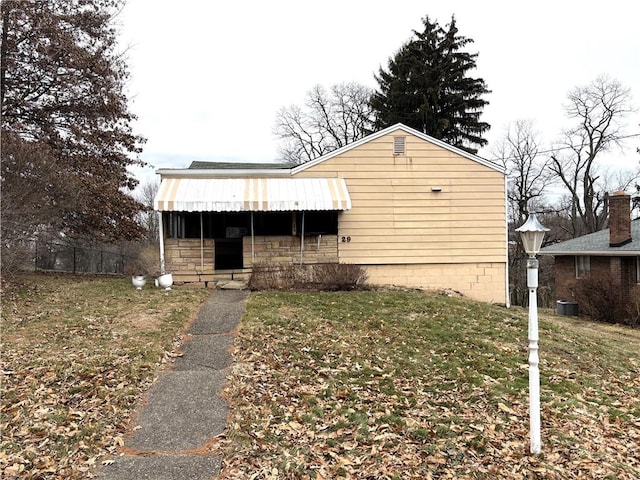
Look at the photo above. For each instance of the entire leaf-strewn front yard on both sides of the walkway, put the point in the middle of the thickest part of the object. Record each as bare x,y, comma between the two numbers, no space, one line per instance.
368,385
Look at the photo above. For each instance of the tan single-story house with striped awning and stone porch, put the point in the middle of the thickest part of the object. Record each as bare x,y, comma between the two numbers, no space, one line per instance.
413,210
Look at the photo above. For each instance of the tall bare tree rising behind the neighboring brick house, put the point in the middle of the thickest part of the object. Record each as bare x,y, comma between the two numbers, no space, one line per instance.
599,110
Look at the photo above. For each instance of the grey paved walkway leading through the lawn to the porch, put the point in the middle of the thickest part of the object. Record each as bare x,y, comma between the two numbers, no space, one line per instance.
184,410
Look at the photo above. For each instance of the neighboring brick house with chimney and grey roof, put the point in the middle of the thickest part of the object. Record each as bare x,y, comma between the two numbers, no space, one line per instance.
614,251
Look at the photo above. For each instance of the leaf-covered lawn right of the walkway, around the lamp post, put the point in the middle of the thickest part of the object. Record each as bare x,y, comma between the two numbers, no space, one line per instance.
391,385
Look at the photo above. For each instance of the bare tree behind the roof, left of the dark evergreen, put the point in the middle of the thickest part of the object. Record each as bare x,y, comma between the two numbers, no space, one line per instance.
328,121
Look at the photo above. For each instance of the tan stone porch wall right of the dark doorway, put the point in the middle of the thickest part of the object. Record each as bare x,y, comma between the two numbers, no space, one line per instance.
286,249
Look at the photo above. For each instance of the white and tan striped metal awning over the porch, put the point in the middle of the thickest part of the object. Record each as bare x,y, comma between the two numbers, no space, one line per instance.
251,194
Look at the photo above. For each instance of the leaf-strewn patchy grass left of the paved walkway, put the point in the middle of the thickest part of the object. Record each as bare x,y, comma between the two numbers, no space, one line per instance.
77,352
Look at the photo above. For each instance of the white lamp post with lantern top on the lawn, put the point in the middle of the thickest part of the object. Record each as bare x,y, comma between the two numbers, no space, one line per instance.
532,233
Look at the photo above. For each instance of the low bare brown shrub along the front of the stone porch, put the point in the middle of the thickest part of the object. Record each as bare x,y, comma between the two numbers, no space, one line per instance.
317,277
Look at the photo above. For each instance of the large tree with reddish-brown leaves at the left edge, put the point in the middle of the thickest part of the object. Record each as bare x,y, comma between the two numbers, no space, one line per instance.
66,128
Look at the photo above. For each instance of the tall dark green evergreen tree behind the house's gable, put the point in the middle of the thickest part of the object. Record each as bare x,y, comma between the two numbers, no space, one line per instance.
426,87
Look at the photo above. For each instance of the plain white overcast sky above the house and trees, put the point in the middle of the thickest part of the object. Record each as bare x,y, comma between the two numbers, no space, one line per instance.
207,77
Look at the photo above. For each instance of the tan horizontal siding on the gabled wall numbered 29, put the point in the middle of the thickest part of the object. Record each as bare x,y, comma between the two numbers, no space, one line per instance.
397,219
